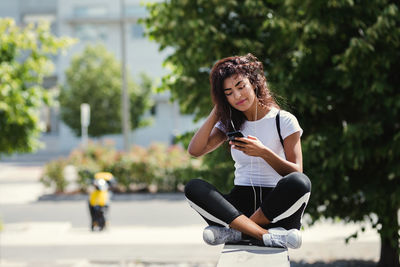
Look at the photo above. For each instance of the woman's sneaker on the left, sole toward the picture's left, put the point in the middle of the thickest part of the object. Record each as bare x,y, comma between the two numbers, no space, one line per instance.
216,235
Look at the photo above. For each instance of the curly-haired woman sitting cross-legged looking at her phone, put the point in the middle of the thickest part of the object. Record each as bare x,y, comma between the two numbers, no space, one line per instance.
270,192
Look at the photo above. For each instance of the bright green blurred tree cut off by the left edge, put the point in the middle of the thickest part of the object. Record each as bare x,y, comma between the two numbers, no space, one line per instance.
24,62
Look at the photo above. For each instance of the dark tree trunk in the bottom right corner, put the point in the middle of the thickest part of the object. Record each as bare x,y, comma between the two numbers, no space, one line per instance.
390,243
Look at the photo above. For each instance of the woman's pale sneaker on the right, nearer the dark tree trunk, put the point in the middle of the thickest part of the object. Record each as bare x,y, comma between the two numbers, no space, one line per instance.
279,237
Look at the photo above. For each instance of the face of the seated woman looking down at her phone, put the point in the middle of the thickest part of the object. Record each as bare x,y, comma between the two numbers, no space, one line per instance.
239,92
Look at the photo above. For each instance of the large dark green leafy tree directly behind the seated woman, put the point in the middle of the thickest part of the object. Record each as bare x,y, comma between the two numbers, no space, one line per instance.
336,63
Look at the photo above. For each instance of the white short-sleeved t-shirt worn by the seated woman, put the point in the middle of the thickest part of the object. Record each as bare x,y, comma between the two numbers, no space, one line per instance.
256,171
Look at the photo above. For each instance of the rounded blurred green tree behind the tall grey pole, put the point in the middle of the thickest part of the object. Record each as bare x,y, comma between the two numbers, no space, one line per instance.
94,77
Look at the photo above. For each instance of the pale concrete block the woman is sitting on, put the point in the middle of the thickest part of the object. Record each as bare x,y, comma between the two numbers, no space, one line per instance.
252,255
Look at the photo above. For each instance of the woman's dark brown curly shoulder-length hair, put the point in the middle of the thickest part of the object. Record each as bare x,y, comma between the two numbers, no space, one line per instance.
248,66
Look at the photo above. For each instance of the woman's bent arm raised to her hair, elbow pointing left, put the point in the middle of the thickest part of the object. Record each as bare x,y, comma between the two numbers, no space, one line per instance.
207,138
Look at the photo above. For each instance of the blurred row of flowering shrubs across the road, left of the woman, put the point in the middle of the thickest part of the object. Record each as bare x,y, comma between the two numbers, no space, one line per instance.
163,167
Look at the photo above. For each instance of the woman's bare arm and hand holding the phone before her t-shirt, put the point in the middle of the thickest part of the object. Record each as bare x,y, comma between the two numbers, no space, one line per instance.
292,146
